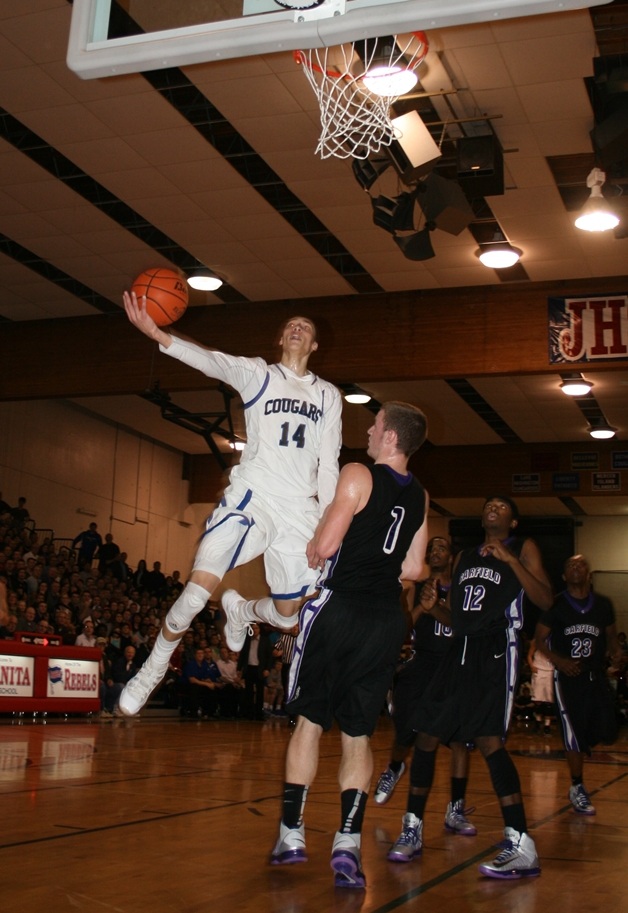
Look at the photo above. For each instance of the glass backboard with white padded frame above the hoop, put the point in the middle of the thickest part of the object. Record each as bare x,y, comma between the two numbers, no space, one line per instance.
108,38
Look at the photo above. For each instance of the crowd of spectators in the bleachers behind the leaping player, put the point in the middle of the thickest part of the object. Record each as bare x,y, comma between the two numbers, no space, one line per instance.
83,591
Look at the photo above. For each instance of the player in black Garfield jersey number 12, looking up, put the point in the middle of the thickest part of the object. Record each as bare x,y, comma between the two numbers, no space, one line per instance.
470,697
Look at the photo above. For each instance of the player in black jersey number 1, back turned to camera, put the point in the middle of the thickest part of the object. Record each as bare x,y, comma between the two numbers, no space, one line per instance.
372,533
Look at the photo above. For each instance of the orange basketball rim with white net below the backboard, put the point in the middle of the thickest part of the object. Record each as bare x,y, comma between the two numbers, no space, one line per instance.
355,84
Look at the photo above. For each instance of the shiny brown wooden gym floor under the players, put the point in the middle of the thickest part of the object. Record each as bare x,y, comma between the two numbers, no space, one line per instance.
160,814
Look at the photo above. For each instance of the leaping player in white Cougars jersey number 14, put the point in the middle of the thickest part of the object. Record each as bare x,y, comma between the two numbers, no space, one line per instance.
286,476
